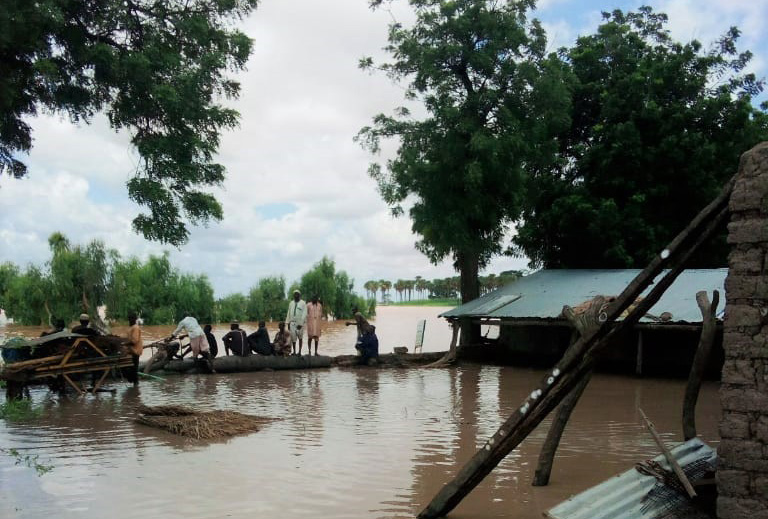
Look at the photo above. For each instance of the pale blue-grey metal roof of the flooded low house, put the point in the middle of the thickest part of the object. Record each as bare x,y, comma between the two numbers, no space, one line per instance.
543,293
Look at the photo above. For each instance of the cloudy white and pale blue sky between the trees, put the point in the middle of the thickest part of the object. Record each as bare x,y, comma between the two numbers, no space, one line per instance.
297,187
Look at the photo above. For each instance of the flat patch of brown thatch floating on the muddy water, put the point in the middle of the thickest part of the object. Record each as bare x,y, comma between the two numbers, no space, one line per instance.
200,425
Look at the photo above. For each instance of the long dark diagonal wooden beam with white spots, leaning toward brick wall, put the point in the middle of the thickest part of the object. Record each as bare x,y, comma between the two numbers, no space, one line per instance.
578,359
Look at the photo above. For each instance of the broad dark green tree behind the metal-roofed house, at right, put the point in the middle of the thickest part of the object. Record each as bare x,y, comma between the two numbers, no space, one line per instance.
657,129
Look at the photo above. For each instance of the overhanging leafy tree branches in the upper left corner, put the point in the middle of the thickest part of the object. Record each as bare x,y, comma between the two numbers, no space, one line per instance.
157,68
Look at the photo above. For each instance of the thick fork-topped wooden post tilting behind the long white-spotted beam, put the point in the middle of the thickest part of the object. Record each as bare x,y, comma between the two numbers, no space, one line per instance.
582,325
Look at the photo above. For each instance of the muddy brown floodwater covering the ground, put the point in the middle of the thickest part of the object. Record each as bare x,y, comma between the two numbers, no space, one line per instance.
347,443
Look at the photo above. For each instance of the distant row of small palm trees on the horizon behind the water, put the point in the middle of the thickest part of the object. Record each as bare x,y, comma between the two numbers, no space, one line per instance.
445,288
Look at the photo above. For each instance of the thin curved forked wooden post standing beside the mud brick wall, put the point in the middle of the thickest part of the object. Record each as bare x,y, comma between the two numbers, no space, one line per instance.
700,360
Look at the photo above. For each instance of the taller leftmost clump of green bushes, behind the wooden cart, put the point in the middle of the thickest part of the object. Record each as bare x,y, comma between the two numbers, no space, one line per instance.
79,276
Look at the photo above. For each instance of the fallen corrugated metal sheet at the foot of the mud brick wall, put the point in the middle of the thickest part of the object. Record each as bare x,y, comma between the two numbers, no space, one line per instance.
631,495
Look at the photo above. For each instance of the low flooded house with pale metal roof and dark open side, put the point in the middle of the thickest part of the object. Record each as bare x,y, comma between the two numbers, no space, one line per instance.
533,331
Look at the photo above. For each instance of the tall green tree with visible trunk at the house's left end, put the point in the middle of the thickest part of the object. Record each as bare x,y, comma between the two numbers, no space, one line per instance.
493,99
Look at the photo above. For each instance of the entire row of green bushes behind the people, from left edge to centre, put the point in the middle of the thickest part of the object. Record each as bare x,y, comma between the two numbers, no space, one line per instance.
82,278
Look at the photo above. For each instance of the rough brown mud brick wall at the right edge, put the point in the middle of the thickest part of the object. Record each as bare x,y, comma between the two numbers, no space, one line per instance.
742,476
